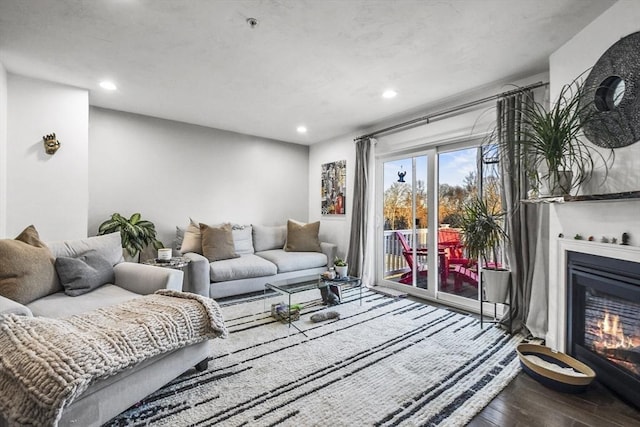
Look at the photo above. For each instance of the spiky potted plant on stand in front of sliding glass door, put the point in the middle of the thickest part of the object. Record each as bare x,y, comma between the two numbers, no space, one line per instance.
482,235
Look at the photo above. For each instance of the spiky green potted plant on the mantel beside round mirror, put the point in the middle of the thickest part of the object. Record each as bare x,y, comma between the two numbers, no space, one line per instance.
558,156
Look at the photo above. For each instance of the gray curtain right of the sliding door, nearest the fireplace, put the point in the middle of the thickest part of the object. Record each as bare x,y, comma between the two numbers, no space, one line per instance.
522,218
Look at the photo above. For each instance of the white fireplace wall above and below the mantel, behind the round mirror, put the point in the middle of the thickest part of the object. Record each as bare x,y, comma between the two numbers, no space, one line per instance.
596,219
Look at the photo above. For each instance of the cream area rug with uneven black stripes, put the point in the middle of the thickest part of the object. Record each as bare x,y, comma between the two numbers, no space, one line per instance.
385,362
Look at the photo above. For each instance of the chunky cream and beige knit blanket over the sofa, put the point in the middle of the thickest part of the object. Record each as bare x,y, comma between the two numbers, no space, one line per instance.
45,364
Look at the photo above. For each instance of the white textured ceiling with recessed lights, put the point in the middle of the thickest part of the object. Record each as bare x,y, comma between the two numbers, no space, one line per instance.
322,63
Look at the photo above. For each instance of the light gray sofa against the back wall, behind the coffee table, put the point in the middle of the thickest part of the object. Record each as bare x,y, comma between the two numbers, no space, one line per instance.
262,260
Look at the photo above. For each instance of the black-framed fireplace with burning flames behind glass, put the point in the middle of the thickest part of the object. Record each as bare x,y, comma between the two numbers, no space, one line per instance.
603,320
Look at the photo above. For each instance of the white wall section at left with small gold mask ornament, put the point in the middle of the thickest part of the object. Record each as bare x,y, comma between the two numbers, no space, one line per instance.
50,192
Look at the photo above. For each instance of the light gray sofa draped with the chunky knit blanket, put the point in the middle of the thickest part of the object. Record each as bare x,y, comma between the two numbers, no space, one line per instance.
108,397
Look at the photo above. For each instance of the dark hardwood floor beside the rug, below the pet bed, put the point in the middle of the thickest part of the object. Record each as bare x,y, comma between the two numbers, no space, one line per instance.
525,402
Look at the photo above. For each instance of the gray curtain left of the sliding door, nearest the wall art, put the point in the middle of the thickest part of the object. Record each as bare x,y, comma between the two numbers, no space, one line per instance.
360,210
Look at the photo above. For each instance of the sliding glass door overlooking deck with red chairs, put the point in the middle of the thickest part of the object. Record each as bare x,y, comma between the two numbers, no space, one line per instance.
421,249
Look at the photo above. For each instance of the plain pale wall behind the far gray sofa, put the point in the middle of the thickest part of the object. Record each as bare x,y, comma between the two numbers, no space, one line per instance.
170,171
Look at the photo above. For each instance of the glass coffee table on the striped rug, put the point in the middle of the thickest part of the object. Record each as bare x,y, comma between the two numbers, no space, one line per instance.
290,287
